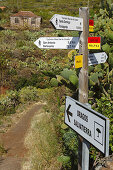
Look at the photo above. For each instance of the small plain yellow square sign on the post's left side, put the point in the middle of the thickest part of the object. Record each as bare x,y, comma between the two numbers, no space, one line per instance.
78,61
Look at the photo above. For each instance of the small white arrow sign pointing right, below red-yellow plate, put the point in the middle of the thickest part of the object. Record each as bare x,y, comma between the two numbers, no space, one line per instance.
97,58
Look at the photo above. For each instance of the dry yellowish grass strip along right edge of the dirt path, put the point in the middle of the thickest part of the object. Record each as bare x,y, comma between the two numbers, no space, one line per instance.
43,145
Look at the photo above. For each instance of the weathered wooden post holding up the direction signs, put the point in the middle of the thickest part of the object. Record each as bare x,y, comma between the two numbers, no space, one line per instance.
83,74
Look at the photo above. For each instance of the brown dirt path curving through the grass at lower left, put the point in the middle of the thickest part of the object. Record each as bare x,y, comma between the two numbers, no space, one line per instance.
13,141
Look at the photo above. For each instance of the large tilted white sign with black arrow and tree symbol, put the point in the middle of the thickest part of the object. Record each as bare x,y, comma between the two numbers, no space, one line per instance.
91,125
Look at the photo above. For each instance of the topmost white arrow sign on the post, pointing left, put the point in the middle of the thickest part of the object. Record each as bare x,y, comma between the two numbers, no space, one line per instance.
67,22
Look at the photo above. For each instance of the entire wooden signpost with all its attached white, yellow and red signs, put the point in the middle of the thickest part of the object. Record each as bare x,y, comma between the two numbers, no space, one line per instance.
92,127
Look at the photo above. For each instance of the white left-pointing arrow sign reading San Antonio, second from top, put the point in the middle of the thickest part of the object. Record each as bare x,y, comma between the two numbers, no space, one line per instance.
58,42
